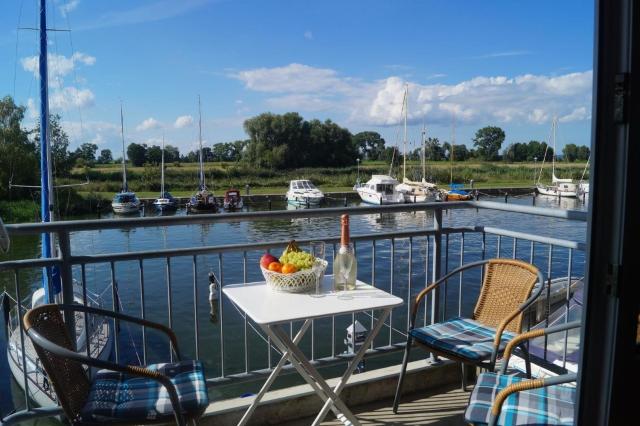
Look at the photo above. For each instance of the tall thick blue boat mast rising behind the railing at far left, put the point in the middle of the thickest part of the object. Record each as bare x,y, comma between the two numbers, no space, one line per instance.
51,287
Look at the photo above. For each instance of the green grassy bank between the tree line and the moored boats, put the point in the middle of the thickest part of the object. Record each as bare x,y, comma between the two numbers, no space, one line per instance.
181,179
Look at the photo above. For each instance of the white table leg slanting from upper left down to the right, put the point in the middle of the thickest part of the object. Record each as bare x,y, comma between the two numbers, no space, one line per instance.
309,372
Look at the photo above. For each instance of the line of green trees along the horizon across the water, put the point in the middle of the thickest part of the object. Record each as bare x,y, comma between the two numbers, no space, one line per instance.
275,141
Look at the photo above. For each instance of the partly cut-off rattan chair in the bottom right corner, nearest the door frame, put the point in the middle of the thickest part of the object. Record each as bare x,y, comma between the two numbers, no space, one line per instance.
503,399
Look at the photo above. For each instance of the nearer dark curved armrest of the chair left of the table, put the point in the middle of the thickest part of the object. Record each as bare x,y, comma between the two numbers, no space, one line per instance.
62,352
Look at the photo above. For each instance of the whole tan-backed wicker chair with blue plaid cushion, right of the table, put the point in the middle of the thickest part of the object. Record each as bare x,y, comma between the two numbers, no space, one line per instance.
497,318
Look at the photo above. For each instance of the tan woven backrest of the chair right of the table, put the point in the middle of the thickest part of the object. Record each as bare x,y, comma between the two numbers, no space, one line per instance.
507,284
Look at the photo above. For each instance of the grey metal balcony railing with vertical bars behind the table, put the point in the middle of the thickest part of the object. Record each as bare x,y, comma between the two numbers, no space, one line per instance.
441,249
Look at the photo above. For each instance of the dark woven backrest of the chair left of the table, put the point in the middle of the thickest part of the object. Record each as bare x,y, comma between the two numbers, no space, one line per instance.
68,377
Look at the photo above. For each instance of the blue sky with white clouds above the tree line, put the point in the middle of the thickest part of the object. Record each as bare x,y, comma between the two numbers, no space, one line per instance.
512,64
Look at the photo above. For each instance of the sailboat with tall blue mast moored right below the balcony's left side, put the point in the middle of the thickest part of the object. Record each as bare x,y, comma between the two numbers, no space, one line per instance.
95,333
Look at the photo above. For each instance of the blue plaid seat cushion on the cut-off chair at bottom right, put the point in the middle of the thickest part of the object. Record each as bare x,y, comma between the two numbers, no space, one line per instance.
549,405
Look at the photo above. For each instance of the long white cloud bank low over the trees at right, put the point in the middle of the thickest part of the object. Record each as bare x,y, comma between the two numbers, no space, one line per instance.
480,100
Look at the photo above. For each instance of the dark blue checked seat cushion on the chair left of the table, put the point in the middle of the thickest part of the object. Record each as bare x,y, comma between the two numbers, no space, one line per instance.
118,396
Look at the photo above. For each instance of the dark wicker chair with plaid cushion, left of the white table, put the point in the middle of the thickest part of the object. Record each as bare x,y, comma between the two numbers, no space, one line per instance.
125,394
